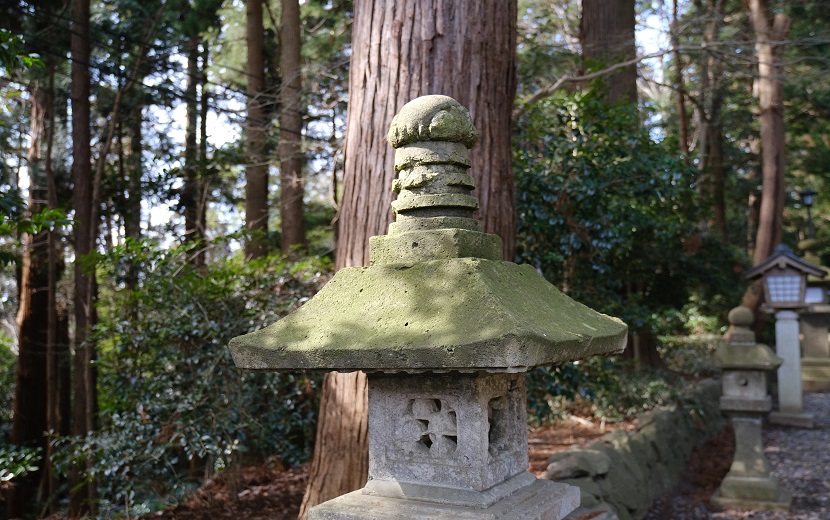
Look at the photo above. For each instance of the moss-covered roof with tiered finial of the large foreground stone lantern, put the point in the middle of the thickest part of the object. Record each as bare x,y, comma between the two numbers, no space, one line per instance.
437,296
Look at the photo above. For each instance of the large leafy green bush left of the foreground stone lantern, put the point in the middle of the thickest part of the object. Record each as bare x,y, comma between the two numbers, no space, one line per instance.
173,408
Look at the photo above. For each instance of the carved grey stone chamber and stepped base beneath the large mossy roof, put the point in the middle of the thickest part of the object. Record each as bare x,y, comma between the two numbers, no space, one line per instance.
449,446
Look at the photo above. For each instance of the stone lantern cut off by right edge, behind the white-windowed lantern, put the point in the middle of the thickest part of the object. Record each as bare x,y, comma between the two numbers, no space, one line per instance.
815,324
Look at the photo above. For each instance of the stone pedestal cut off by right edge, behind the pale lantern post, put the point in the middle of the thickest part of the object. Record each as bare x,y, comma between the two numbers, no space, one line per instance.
815,361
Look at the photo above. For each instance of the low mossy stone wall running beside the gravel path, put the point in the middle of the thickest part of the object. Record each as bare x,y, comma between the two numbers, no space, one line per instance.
624,472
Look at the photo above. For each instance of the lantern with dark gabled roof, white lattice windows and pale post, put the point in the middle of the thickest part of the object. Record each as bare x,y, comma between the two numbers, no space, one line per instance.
784,277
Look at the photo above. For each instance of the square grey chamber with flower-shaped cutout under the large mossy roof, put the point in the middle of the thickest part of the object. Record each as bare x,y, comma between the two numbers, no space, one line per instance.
461,431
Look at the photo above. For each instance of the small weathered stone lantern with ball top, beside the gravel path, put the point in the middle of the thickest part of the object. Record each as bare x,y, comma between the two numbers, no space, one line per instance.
745,400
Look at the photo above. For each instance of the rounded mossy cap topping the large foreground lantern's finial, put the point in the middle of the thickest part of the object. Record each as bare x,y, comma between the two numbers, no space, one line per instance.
432,118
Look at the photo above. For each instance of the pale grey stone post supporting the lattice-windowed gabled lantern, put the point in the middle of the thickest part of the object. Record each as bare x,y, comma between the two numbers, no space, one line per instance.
790,394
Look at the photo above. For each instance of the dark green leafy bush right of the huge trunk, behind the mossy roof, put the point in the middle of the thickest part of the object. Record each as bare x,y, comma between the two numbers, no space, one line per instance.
612,217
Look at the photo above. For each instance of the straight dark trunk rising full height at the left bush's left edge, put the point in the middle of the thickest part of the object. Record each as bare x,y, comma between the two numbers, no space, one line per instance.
82,494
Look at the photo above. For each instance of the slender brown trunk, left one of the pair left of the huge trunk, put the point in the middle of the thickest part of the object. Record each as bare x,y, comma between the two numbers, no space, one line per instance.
256,170
